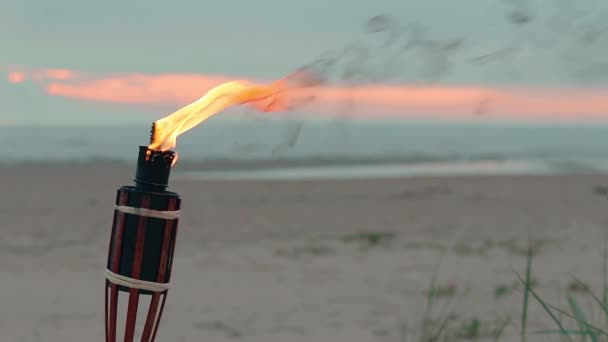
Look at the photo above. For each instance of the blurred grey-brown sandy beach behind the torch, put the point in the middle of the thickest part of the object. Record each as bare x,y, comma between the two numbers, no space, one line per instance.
303,260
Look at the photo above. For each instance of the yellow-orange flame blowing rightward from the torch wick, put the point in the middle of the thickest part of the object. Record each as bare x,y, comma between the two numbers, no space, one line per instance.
266,98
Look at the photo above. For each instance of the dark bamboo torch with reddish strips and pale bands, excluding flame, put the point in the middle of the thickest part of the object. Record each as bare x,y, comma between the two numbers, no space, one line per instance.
140,255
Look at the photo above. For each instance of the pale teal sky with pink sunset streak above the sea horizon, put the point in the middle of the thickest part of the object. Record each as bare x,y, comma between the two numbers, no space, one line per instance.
115,62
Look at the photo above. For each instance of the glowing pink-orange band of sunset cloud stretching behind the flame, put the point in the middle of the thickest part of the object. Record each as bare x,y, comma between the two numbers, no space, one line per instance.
372,100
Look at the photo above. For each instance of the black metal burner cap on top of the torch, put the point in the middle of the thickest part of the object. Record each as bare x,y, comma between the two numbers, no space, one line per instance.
153,169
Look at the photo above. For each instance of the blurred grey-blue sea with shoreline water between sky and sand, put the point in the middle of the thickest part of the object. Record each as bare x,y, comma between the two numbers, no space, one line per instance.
273,149
